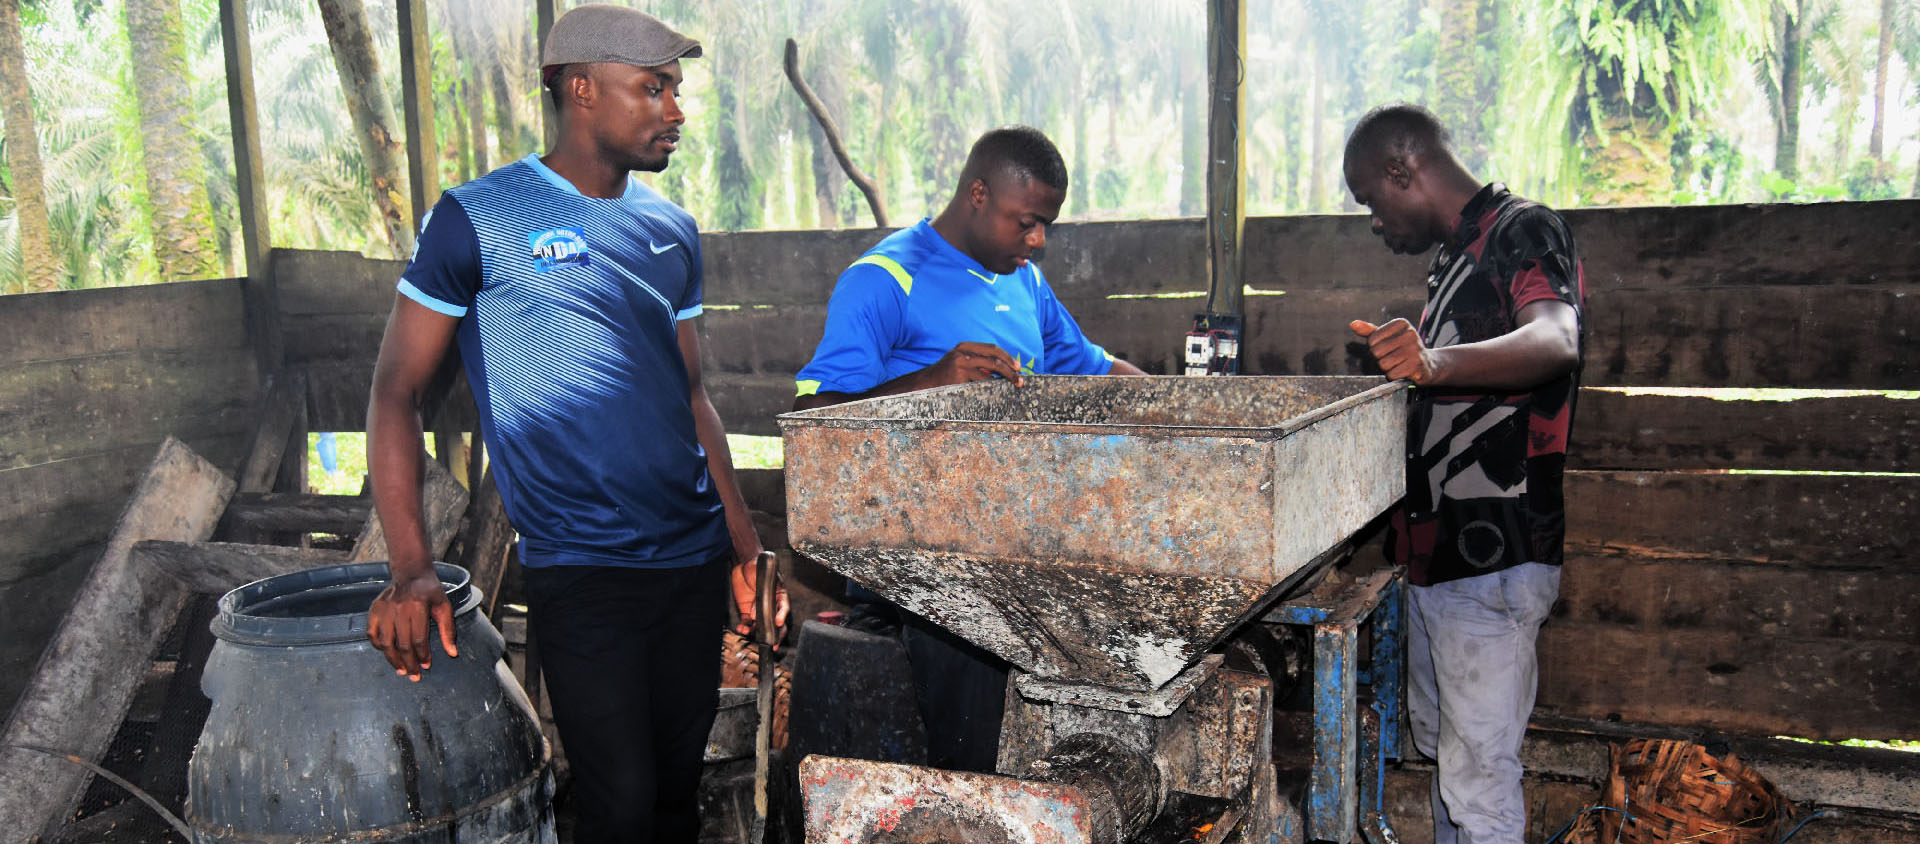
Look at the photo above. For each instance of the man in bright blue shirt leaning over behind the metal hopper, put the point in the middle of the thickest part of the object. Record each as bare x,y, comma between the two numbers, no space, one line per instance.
948,302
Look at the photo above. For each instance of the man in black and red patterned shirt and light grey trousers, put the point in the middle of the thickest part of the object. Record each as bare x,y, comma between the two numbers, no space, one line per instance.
1497,369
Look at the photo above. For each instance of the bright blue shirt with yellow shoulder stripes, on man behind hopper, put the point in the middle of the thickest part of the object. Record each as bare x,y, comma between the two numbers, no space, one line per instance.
913,298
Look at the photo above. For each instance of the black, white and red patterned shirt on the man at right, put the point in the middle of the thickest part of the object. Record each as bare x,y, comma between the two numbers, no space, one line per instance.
1485,469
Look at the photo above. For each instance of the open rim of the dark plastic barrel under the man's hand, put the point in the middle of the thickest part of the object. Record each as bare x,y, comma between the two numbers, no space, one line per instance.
241,628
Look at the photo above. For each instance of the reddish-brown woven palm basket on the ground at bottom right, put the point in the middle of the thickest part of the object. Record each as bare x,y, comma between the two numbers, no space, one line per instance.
1675,791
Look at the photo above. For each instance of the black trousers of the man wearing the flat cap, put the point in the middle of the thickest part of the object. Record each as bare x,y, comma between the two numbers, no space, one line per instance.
633,665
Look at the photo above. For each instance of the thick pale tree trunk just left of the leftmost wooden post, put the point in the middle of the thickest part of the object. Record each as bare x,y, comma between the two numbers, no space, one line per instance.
176,170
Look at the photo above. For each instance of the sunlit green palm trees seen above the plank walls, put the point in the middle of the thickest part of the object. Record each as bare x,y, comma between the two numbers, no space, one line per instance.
1577,103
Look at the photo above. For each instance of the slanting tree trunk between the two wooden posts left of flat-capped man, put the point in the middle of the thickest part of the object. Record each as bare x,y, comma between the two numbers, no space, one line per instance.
360,80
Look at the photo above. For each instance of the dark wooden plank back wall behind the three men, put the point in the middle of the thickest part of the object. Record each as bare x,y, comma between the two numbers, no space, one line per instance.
1756,603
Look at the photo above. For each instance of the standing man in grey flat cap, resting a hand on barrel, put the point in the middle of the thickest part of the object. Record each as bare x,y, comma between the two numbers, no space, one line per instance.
571,289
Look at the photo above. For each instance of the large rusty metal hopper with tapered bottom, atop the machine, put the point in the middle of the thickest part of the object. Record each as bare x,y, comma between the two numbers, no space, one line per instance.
1093,530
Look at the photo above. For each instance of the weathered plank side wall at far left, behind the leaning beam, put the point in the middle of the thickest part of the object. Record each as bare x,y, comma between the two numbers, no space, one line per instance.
91,385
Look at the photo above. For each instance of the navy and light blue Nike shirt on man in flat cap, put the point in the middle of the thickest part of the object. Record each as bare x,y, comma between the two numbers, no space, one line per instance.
569,310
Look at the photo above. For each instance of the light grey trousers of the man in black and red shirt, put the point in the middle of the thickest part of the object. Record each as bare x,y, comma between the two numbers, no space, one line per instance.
1472,680
